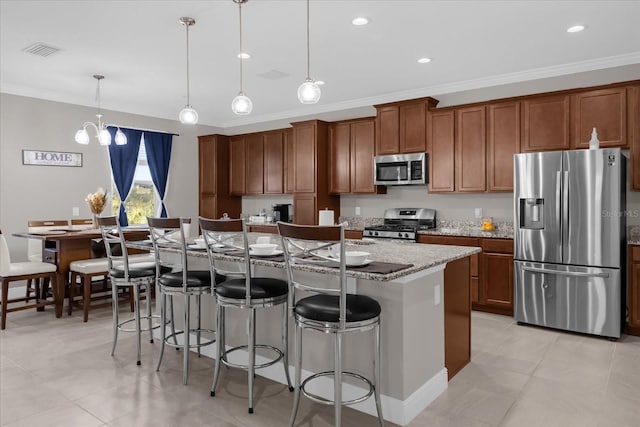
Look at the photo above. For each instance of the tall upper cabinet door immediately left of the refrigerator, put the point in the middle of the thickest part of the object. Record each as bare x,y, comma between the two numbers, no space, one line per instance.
503,140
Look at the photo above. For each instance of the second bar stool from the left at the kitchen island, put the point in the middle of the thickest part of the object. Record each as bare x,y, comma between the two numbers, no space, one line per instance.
168,234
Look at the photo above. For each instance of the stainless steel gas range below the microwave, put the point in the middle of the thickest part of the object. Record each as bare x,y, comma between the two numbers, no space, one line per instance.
403,223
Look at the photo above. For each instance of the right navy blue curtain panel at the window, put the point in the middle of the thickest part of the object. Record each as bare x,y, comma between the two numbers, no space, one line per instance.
158,146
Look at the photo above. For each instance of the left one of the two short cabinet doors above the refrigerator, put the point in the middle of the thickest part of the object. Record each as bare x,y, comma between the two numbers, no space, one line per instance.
545,123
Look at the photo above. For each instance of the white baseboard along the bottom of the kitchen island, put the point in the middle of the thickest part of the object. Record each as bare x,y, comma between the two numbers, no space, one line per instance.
394,410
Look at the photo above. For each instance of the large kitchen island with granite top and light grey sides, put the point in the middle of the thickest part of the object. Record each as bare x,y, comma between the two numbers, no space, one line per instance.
415,302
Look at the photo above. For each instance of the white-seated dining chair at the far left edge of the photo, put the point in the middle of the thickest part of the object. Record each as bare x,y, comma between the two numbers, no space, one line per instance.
20,271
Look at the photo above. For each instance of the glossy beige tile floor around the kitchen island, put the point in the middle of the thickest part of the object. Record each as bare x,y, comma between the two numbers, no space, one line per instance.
58,372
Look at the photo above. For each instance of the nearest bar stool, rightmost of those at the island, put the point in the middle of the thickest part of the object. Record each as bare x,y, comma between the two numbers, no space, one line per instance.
331,311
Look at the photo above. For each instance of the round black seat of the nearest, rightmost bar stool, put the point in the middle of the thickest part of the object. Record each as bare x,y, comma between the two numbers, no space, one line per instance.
326,308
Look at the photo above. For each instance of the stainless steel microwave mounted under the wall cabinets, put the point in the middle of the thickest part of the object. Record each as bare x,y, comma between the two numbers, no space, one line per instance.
400,169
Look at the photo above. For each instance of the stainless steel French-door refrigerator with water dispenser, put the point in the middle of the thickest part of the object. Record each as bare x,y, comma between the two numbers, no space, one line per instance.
569,236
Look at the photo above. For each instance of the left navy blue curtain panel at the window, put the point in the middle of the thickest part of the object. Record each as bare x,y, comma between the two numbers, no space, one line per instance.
124,159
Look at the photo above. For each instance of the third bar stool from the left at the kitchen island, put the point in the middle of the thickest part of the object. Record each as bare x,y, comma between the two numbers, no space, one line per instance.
246,293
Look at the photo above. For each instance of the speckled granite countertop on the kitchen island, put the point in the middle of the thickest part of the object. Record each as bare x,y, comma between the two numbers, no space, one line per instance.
421,256
